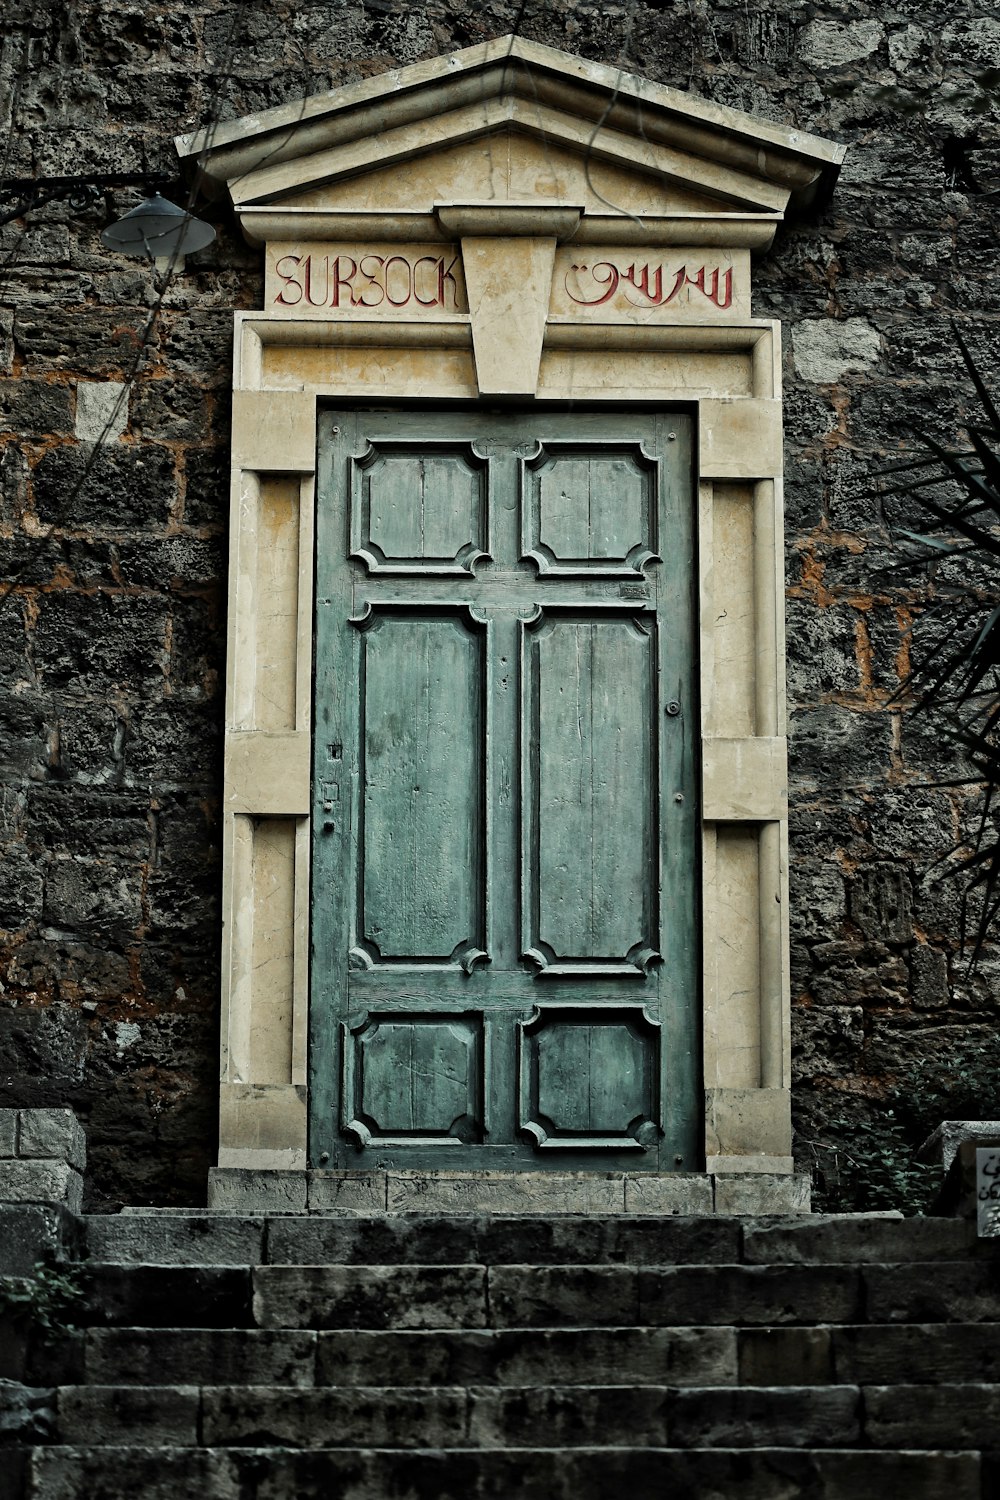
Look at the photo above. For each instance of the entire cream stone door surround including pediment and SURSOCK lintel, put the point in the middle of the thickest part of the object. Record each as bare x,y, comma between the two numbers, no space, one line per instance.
528,322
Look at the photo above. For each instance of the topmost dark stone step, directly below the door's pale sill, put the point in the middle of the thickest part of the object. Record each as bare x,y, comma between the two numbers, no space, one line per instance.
230,1240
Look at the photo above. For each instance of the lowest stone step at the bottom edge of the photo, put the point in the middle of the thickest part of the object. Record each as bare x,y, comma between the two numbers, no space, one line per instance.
540,1474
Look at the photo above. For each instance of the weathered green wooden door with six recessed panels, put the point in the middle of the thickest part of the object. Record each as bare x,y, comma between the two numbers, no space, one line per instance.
506,794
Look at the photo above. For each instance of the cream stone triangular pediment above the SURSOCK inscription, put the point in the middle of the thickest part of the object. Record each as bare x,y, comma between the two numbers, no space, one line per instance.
510,122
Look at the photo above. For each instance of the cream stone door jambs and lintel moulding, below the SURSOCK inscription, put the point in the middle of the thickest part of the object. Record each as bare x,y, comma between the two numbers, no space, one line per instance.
746,1006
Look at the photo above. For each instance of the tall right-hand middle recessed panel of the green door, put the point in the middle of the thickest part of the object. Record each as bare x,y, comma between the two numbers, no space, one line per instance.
591,856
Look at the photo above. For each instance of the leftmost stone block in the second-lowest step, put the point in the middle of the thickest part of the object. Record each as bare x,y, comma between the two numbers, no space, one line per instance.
128,1415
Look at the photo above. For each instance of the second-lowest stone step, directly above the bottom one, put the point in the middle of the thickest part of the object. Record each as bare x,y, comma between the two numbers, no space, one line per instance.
442,1417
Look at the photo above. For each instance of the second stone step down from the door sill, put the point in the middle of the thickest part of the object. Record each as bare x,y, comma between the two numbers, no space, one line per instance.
413,1297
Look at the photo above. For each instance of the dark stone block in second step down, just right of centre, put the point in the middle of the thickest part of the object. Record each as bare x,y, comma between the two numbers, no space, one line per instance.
560,1297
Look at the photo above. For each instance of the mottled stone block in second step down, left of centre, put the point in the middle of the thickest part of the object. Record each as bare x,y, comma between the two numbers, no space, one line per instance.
370,1297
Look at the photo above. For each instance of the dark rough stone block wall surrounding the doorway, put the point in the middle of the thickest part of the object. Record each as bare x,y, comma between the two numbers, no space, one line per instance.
115,553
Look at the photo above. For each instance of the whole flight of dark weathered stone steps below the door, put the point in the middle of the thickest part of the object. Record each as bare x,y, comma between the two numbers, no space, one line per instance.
290,1357
